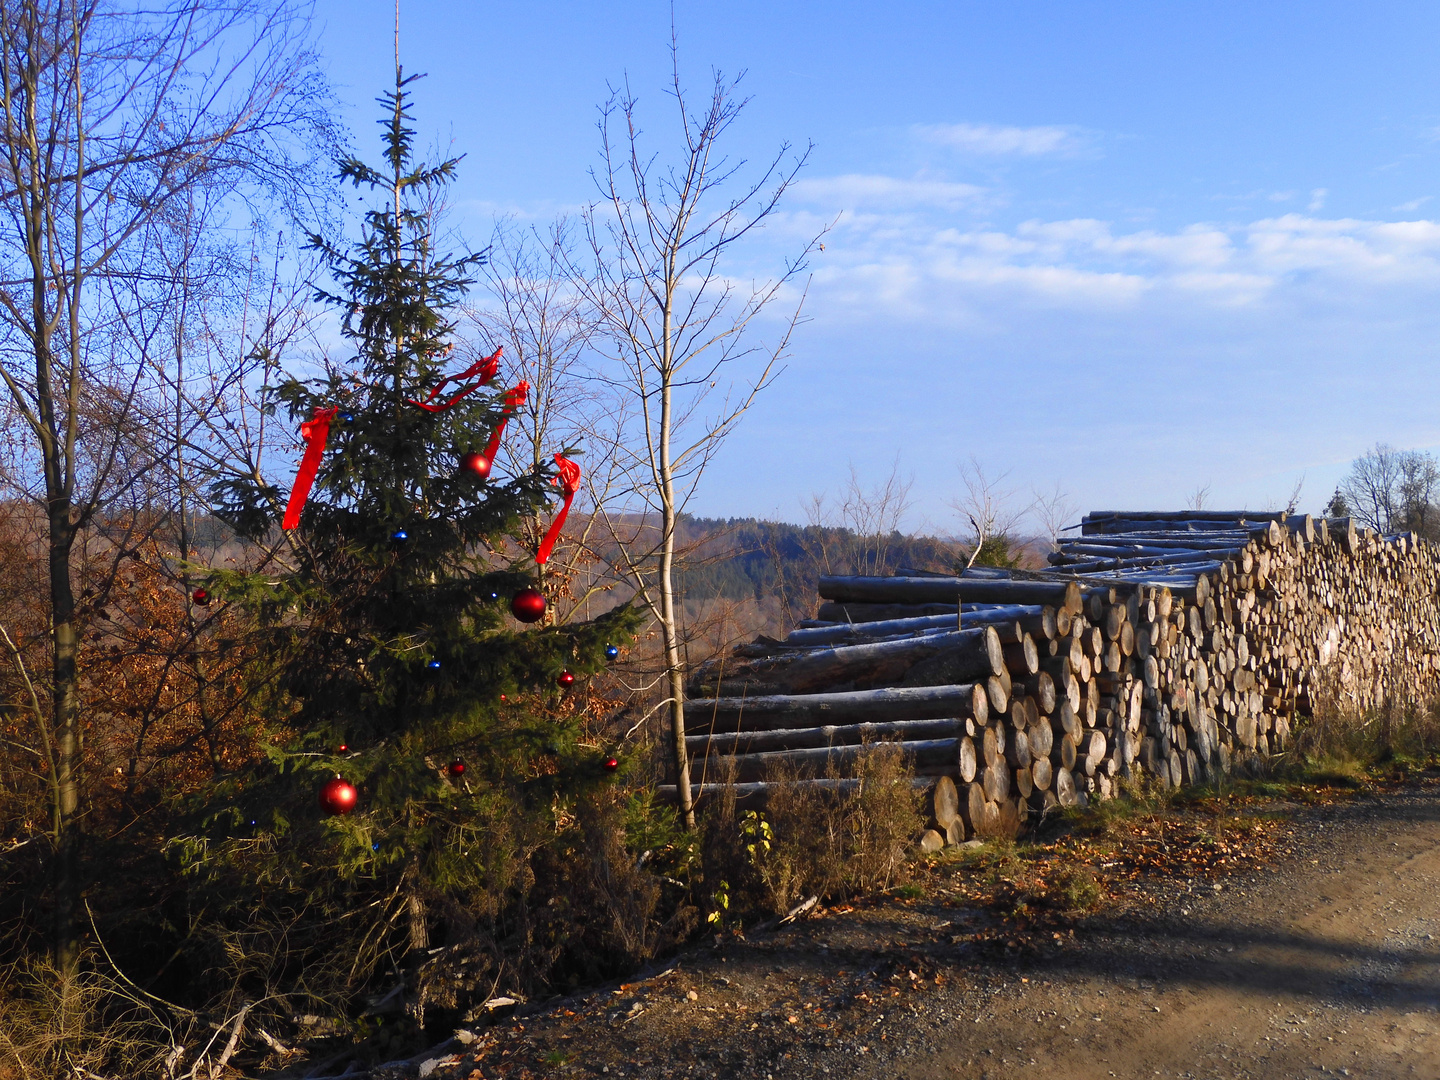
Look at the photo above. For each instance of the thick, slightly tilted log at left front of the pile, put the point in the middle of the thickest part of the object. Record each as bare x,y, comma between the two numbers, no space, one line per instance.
930,660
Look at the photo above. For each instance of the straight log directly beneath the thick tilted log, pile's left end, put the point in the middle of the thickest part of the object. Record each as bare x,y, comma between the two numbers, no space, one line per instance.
840,709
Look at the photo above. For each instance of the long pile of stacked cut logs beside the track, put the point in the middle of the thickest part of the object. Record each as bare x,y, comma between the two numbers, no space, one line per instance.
1173,644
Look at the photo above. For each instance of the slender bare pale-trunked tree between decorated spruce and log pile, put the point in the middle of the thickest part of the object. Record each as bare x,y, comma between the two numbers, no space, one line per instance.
676,325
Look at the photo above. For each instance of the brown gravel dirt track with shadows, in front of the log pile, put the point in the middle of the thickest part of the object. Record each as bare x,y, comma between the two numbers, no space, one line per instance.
1327,963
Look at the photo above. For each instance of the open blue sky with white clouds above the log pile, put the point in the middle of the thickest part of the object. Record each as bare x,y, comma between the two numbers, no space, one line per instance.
1130,248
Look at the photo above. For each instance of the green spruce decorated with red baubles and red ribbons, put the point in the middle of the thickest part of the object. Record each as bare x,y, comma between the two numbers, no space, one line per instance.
392,642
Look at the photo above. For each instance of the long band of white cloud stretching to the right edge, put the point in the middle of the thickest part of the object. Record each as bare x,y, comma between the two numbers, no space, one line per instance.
909,263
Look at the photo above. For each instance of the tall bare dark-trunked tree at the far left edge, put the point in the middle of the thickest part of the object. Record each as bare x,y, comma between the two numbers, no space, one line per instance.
112,114
